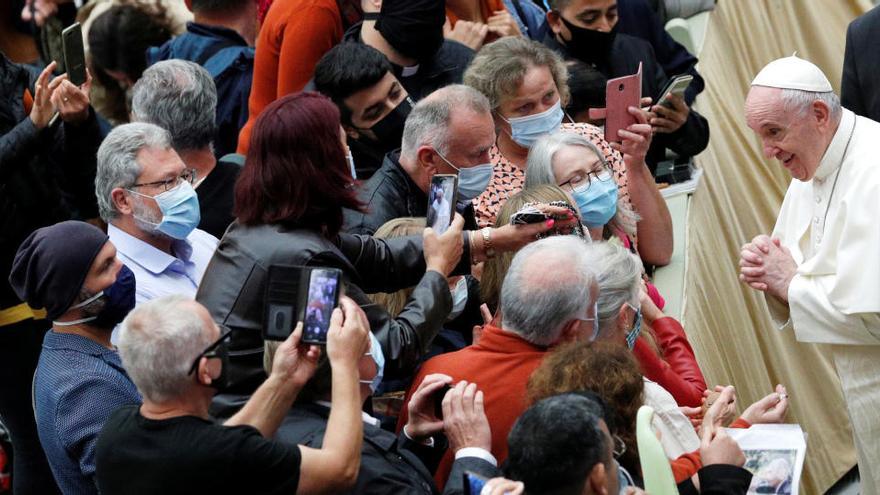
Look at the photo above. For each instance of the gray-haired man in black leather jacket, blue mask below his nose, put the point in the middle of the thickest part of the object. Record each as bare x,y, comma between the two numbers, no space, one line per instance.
448,132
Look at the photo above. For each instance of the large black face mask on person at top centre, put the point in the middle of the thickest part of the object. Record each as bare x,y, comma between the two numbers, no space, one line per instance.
413,27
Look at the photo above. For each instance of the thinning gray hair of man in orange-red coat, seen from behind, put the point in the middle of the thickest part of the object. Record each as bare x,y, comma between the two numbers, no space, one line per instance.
547,286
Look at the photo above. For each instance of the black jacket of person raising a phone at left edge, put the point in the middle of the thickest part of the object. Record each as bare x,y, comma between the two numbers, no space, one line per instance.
46,176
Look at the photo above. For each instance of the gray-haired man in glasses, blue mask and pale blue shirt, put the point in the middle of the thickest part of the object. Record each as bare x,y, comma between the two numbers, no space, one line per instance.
145,195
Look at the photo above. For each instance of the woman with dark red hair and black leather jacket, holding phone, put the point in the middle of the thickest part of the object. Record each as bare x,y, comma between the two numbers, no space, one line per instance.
288,203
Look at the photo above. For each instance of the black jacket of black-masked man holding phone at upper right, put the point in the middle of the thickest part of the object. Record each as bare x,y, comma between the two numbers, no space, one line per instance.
626,53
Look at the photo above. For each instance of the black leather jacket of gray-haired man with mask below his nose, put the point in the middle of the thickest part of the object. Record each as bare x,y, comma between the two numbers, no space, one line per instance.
391,193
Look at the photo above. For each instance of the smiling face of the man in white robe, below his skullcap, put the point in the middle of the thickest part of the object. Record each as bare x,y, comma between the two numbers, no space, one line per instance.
794,126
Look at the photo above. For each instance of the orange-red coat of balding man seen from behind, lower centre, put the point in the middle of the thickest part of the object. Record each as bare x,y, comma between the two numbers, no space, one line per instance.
500,364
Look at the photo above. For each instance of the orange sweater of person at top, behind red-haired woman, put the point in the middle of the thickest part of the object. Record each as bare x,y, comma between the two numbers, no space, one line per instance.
294,36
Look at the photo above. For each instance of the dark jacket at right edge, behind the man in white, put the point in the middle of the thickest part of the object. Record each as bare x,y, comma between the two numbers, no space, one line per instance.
860,84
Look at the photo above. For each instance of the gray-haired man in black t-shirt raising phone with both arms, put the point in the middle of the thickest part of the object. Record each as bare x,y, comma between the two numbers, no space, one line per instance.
177,357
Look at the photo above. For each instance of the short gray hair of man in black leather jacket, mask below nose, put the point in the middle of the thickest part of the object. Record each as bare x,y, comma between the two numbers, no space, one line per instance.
428,122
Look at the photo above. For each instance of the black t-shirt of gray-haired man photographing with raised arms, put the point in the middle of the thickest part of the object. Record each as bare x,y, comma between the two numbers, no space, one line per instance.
187,455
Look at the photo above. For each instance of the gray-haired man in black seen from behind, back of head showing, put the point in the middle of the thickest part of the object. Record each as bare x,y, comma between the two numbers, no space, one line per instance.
179,96
